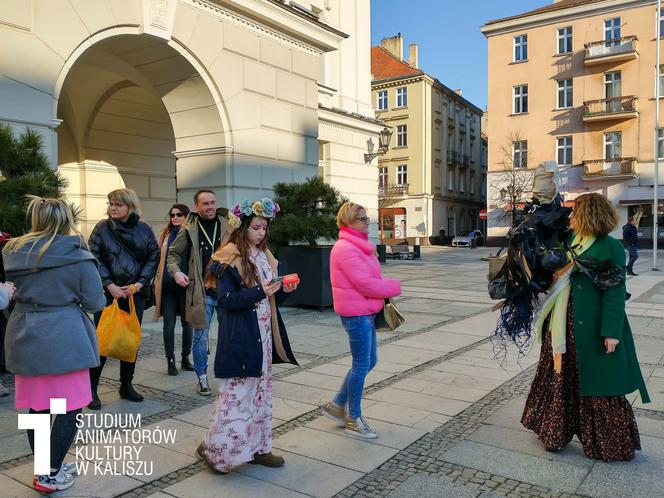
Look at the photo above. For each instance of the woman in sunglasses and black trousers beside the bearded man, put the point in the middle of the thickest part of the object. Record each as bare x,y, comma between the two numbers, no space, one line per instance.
170,298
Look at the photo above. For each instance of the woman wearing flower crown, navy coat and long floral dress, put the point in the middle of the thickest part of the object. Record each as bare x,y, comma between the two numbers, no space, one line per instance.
251,338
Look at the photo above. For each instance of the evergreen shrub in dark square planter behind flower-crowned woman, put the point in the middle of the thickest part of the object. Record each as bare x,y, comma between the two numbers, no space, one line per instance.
303,235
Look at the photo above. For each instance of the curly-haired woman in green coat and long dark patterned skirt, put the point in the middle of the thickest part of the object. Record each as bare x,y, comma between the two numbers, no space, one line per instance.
588,360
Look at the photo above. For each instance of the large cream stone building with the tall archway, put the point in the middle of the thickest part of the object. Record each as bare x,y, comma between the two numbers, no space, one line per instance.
169,96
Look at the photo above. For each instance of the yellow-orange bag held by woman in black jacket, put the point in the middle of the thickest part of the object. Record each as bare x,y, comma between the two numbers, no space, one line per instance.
118,332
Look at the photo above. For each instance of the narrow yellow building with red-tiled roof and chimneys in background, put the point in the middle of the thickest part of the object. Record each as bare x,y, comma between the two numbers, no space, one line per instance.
432,175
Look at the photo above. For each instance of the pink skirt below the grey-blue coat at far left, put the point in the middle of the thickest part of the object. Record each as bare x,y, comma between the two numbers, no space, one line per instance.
36,391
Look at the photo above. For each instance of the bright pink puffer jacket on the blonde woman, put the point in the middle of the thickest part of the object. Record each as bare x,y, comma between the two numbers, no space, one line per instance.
357,286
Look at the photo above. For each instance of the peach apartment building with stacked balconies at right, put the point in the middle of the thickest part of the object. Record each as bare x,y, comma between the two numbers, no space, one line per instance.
574,81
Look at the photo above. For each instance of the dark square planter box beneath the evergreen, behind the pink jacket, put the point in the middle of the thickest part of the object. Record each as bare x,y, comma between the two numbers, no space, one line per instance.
312,264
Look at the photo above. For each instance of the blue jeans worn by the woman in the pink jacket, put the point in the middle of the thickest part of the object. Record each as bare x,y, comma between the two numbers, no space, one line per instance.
362,337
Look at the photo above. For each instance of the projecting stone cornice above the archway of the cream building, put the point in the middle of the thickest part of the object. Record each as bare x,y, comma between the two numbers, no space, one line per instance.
268,18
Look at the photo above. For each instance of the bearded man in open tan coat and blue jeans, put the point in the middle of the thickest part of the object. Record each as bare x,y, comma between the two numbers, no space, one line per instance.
199,237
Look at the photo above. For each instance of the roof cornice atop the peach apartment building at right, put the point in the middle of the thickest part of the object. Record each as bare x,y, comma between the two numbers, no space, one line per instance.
561,15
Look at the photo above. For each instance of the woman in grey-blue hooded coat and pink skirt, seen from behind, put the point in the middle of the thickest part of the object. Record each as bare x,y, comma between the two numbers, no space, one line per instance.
51,342
